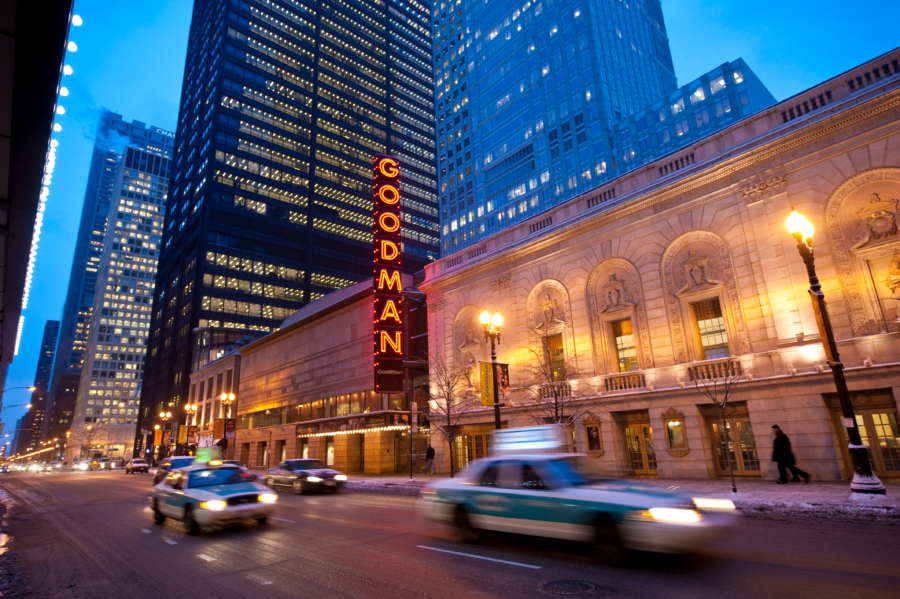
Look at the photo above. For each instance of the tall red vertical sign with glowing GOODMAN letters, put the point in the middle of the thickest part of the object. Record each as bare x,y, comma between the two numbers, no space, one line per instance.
388,291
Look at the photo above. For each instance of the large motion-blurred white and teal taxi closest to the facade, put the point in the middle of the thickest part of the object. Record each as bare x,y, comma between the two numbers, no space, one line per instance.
558,496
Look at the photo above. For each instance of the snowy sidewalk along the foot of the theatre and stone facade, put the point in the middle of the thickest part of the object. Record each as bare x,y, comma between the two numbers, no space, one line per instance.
756,498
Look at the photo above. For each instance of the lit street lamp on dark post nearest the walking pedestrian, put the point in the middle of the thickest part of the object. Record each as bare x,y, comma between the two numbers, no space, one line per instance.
864,480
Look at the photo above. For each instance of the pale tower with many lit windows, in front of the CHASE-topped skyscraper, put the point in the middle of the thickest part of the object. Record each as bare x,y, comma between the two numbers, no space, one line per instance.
120,315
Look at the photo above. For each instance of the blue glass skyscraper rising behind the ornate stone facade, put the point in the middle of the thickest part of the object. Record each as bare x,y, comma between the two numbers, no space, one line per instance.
529,95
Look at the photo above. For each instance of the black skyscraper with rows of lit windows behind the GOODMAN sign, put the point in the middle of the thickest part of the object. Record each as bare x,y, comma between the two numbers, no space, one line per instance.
284,105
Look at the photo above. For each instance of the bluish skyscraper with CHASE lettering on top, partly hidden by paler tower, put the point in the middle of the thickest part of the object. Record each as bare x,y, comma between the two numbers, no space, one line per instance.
113,135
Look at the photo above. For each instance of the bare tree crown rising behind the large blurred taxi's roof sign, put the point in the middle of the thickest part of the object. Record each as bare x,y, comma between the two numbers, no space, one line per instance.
554,391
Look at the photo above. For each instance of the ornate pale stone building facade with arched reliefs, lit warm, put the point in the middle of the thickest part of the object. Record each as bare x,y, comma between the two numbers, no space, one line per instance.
684,270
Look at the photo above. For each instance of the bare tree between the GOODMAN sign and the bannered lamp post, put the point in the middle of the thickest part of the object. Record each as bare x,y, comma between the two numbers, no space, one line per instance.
450,400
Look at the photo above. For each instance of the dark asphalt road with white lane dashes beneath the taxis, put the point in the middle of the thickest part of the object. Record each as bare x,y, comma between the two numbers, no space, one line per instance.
74,535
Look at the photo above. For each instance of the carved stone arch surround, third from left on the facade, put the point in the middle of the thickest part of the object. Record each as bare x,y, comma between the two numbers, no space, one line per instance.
614,288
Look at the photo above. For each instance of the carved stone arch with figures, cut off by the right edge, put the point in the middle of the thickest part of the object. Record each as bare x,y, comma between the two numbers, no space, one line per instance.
861,226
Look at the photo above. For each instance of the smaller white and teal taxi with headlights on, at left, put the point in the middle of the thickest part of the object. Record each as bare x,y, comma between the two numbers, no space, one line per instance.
206,495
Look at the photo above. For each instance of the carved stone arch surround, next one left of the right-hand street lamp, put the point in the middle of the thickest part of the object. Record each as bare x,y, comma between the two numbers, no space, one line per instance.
678,273
